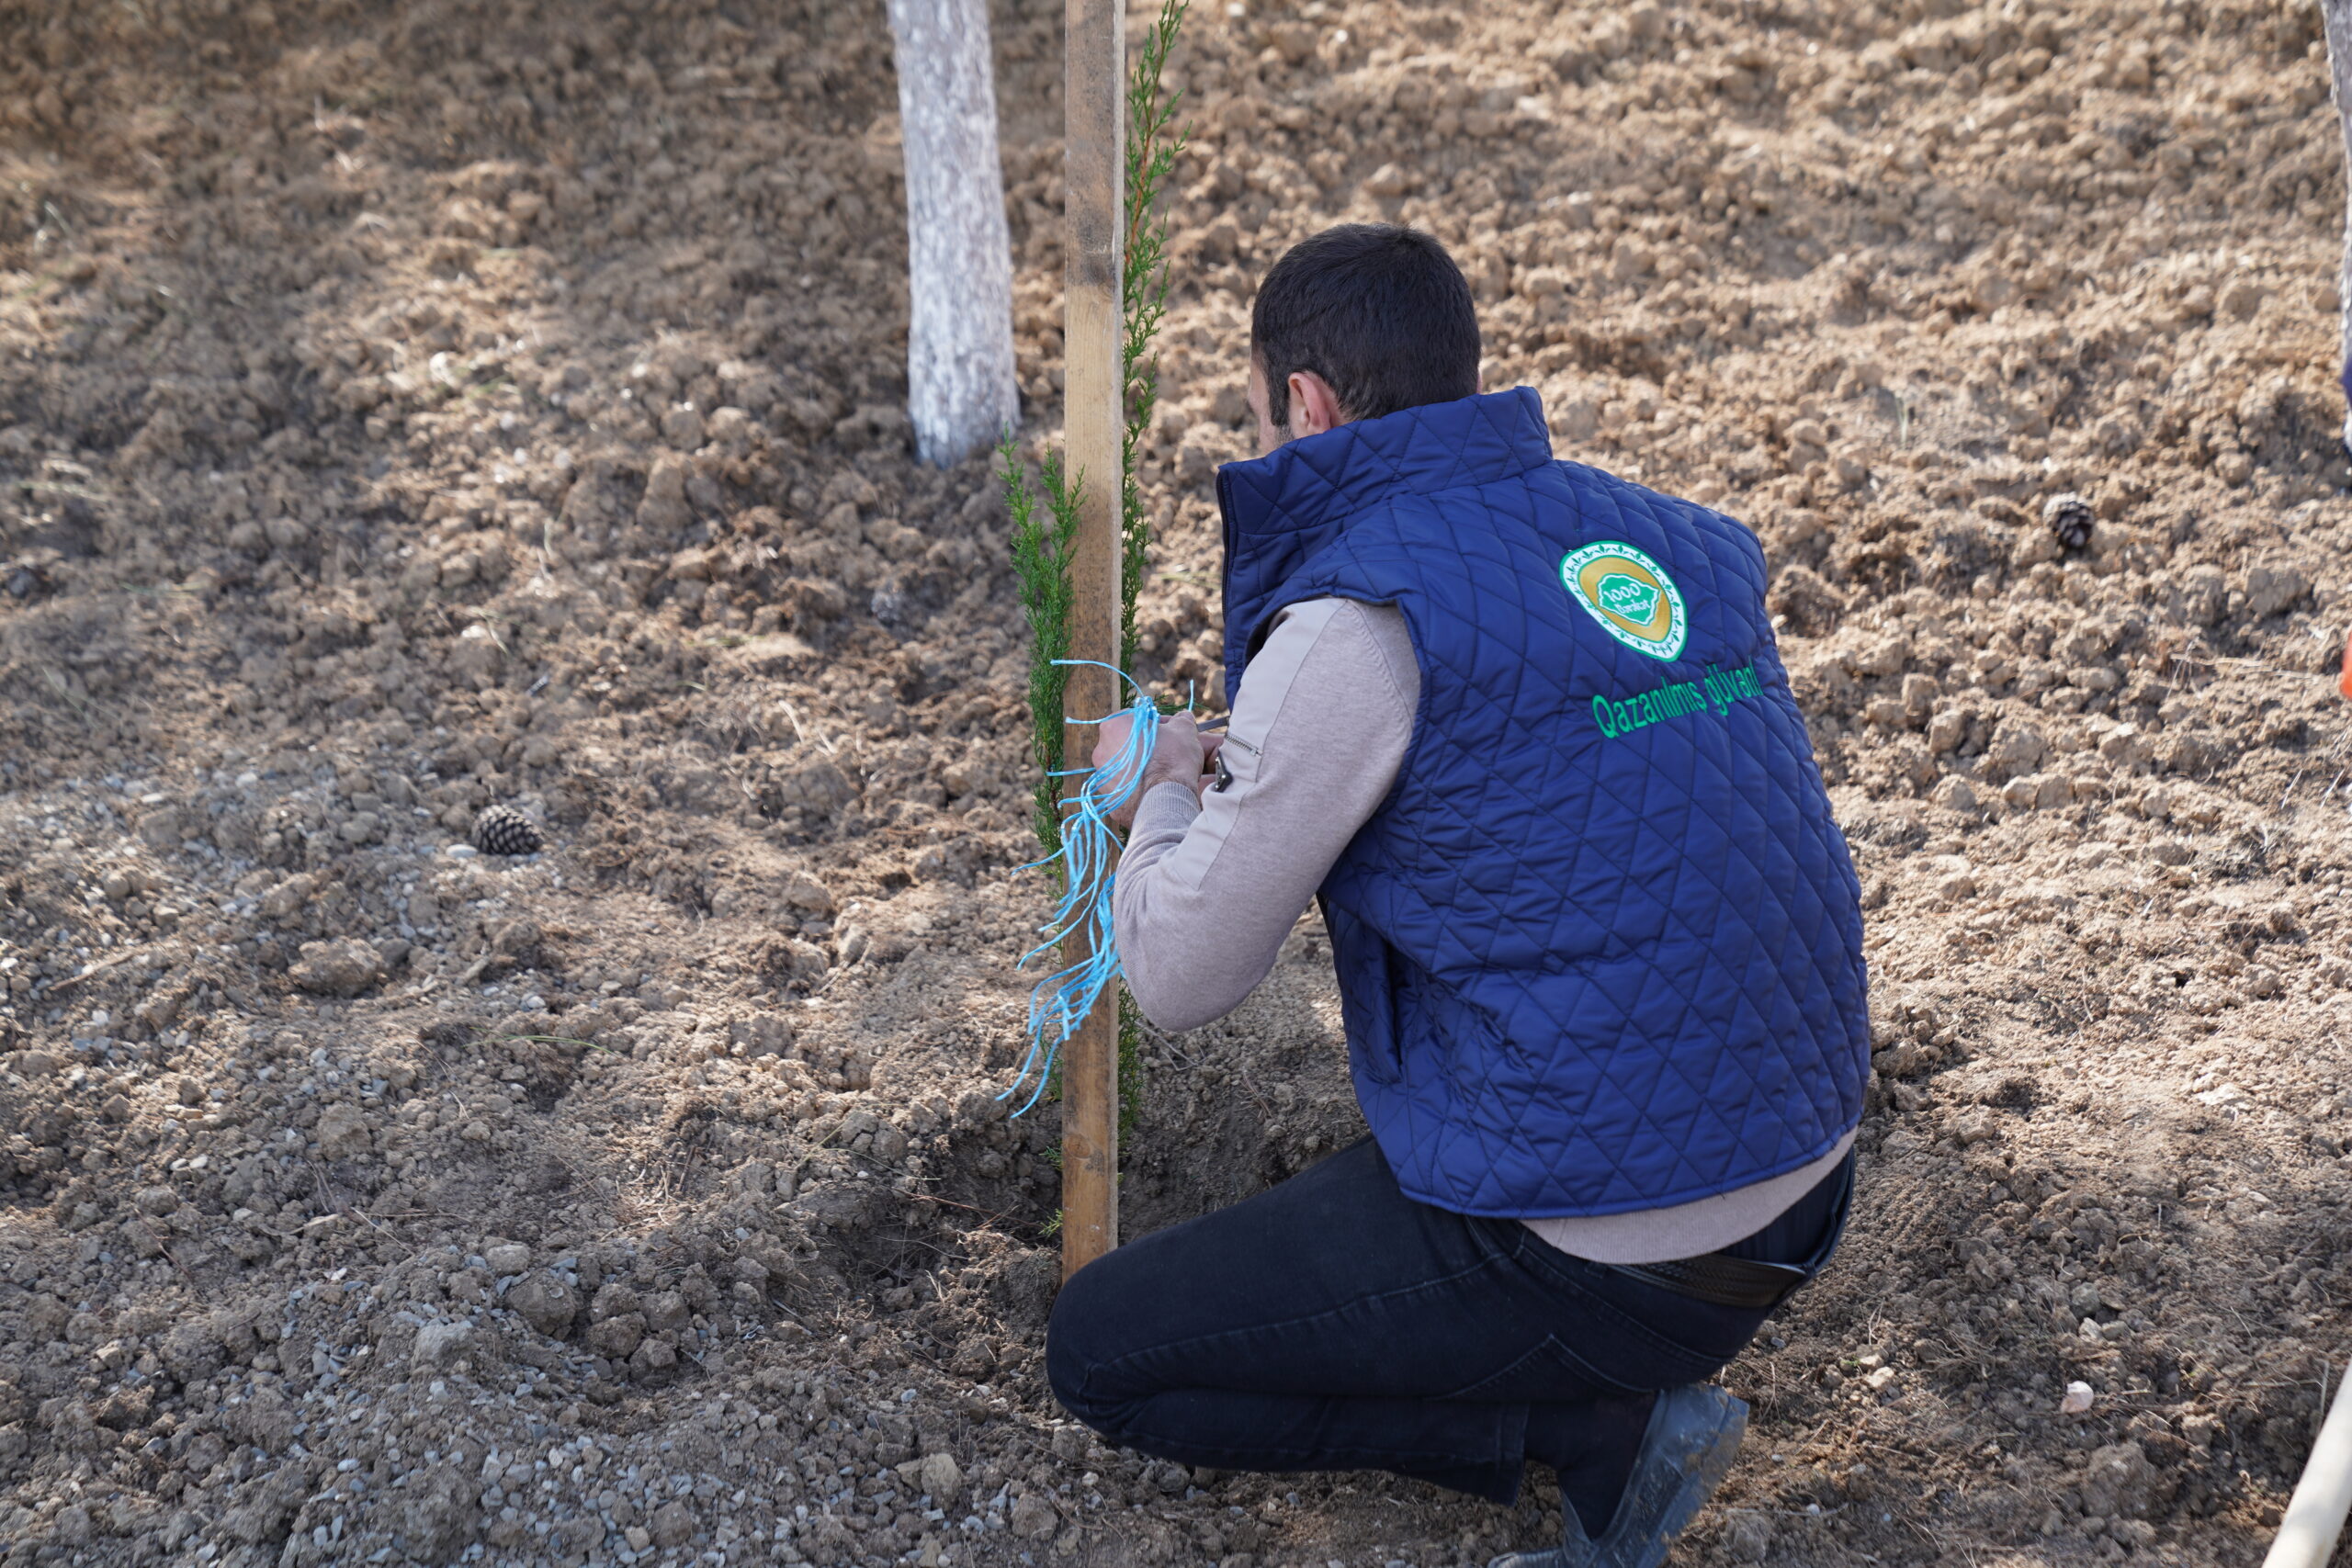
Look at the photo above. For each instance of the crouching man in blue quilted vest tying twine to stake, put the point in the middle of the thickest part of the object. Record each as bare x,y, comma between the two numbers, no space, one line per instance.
1523,730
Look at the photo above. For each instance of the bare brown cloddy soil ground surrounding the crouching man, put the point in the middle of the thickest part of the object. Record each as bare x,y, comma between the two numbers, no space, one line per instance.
417,406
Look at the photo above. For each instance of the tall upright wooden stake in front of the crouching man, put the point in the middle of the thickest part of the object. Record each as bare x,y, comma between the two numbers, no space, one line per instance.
1095,166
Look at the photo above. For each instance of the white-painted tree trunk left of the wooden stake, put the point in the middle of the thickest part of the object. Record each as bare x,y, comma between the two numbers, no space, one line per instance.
961,269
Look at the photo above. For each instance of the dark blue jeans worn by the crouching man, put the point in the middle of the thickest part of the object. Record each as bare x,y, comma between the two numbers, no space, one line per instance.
1337,1325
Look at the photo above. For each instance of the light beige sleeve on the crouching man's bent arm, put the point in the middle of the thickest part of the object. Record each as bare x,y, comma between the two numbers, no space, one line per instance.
1210,885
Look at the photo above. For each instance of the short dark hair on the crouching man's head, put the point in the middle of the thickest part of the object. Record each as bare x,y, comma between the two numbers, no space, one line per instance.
1375,309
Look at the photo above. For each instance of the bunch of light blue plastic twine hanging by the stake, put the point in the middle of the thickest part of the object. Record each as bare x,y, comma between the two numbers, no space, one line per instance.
1064,998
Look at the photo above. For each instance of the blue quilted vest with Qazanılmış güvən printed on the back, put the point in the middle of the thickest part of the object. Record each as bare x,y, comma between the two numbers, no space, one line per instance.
1601,949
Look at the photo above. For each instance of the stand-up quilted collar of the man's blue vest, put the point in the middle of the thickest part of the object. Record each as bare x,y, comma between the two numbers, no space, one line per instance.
1415,453
